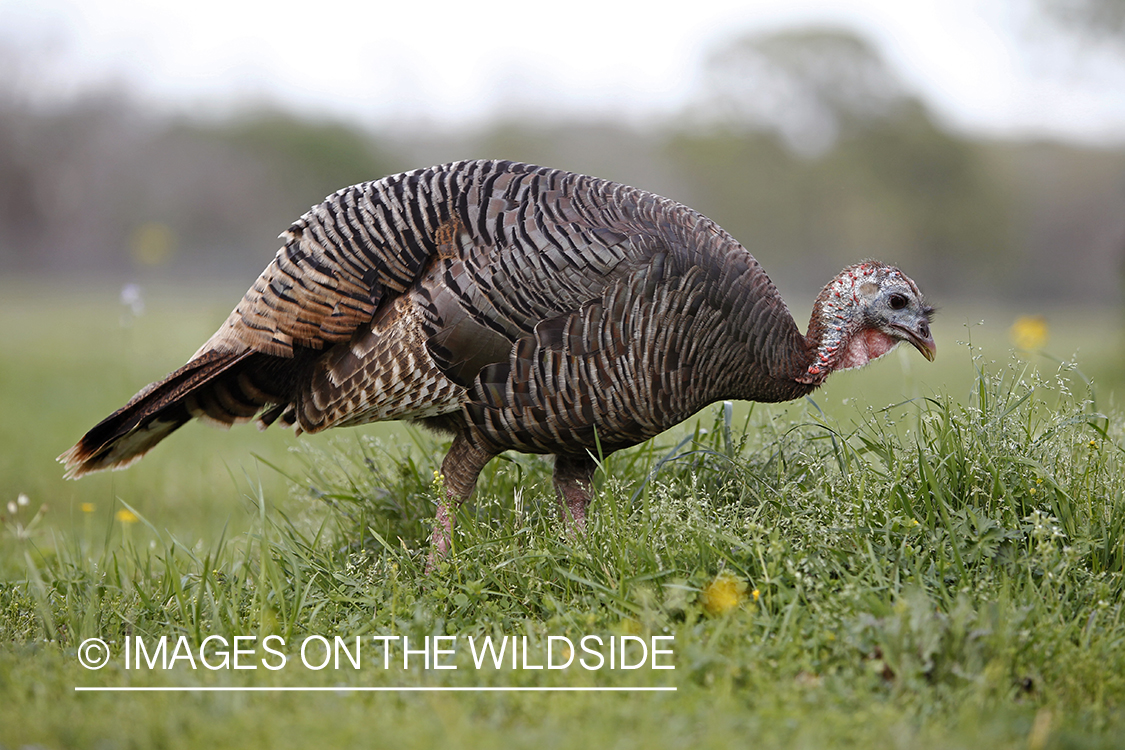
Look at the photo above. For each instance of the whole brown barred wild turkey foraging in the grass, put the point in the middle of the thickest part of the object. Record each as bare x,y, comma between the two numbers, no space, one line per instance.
515,308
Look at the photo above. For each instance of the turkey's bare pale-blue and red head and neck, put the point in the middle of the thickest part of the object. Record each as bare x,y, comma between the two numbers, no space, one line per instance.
865,313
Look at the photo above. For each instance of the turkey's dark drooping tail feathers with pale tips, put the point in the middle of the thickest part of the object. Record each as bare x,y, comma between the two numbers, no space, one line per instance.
211,387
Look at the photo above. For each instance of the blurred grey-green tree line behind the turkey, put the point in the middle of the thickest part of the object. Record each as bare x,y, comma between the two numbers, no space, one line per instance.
804,144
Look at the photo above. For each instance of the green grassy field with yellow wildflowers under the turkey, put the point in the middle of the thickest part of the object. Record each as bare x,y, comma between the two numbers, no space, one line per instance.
920,557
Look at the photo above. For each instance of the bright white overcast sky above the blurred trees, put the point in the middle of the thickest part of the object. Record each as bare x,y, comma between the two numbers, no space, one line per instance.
988,67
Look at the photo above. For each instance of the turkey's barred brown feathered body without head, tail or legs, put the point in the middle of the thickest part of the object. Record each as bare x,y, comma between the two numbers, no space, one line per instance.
581,305
